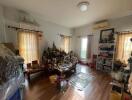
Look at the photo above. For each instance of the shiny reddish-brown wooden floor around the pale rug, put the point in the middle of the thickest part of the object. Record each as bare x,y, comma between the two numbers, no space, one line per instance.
97,89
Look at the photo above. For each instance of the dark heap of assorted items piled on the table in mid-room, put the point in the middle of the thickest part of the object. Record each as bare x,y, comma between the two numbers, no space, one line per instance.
57,61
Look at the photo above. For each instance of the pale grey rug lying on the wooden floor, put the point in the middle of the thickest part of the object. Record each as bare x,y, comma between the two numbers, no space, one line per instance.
81,80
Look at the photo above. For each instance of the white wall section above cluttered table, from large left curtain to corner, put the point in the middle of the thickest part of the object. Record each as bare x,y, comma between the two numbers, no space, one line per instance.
51,33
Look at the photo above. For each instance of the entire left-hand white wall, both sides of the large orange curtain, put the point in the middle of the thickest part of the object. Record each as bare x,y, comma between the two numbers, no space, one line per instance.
50,30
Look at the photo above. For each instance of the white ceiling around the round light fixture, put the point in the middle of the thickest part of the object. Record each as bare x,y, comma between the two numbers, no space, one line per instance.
66,13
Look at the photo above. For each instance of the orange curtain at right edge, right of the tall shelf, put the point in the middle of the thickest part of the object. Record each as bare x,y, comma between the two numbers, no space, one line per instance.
124,46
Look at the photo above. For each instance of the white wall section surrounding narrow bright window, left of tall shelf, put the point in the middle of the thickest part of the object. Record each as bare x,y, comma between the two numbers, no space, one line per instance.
84,31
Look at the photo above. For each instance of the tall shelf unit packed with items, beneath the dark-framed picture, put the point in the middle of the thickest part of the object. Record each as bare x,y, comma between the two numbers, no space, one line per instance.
106,52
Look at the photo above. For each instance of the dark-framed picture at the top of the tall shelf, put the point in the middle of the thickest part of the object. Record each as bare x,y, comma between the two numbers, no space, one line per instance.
107,36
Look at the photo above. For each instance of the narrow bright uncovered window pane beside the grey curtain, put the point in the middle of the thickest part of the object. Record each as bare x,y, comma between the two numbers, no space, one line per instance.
84,42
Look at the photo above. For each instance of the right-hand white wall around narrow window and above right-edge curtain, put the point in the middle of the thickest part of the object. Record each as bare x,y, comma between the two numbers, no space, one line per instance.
120,24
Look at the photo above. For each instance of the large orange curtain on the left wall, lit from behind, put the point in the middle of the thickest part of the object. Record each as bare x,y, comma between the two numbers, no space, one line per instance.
28,46
